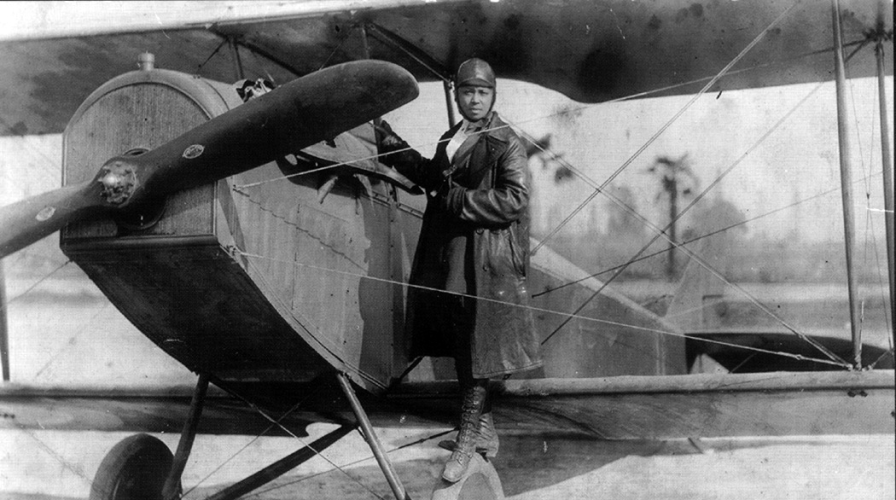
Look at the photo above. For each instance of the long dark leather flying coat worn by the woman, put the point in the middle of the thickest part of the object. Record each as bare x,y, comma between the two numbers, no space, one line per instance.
483,195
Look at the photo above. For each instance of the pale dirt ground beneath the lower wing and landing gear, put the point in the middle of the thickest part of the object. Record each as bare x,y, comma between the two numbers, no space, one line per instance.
50,465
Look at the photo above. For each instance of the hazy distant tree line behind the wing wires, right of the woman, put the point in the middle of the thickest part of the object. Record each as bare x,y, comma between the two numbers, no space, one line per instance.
739,255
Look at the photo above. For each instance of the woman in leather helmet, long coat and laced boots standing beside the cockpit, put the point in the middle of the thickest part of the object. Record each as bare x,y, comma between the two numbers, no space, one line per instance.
468,292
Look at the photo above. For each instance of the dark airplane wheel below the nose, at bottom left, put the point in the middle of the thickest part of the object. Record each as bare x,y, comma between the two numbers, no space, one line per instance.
134,469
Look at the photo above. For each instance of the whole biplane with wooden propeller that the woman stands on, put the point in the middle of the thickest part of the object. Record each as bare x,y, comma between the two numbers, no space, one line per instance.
260,244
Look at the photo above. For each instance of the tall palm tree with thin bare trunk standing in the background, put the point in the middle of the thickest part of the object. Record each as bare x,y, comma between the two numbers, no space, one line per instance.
676,179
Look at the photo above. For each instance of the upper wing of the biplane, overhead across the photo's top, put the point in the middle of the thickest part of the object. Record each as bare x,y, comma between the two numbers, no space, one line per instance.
590,50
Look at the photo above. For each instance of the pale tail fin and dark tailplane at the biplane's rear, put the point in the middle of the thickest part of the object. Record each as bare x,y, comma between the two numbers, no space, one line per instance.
727,333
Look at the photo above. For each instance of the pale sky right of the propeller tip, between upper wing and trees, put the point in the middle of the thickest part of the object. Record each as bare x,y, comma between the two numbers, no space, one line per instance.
797,160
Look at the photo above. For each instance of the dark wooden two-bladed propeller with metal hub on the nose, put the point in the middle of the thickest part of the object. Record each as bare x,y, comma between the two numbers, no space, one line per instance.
294,116
